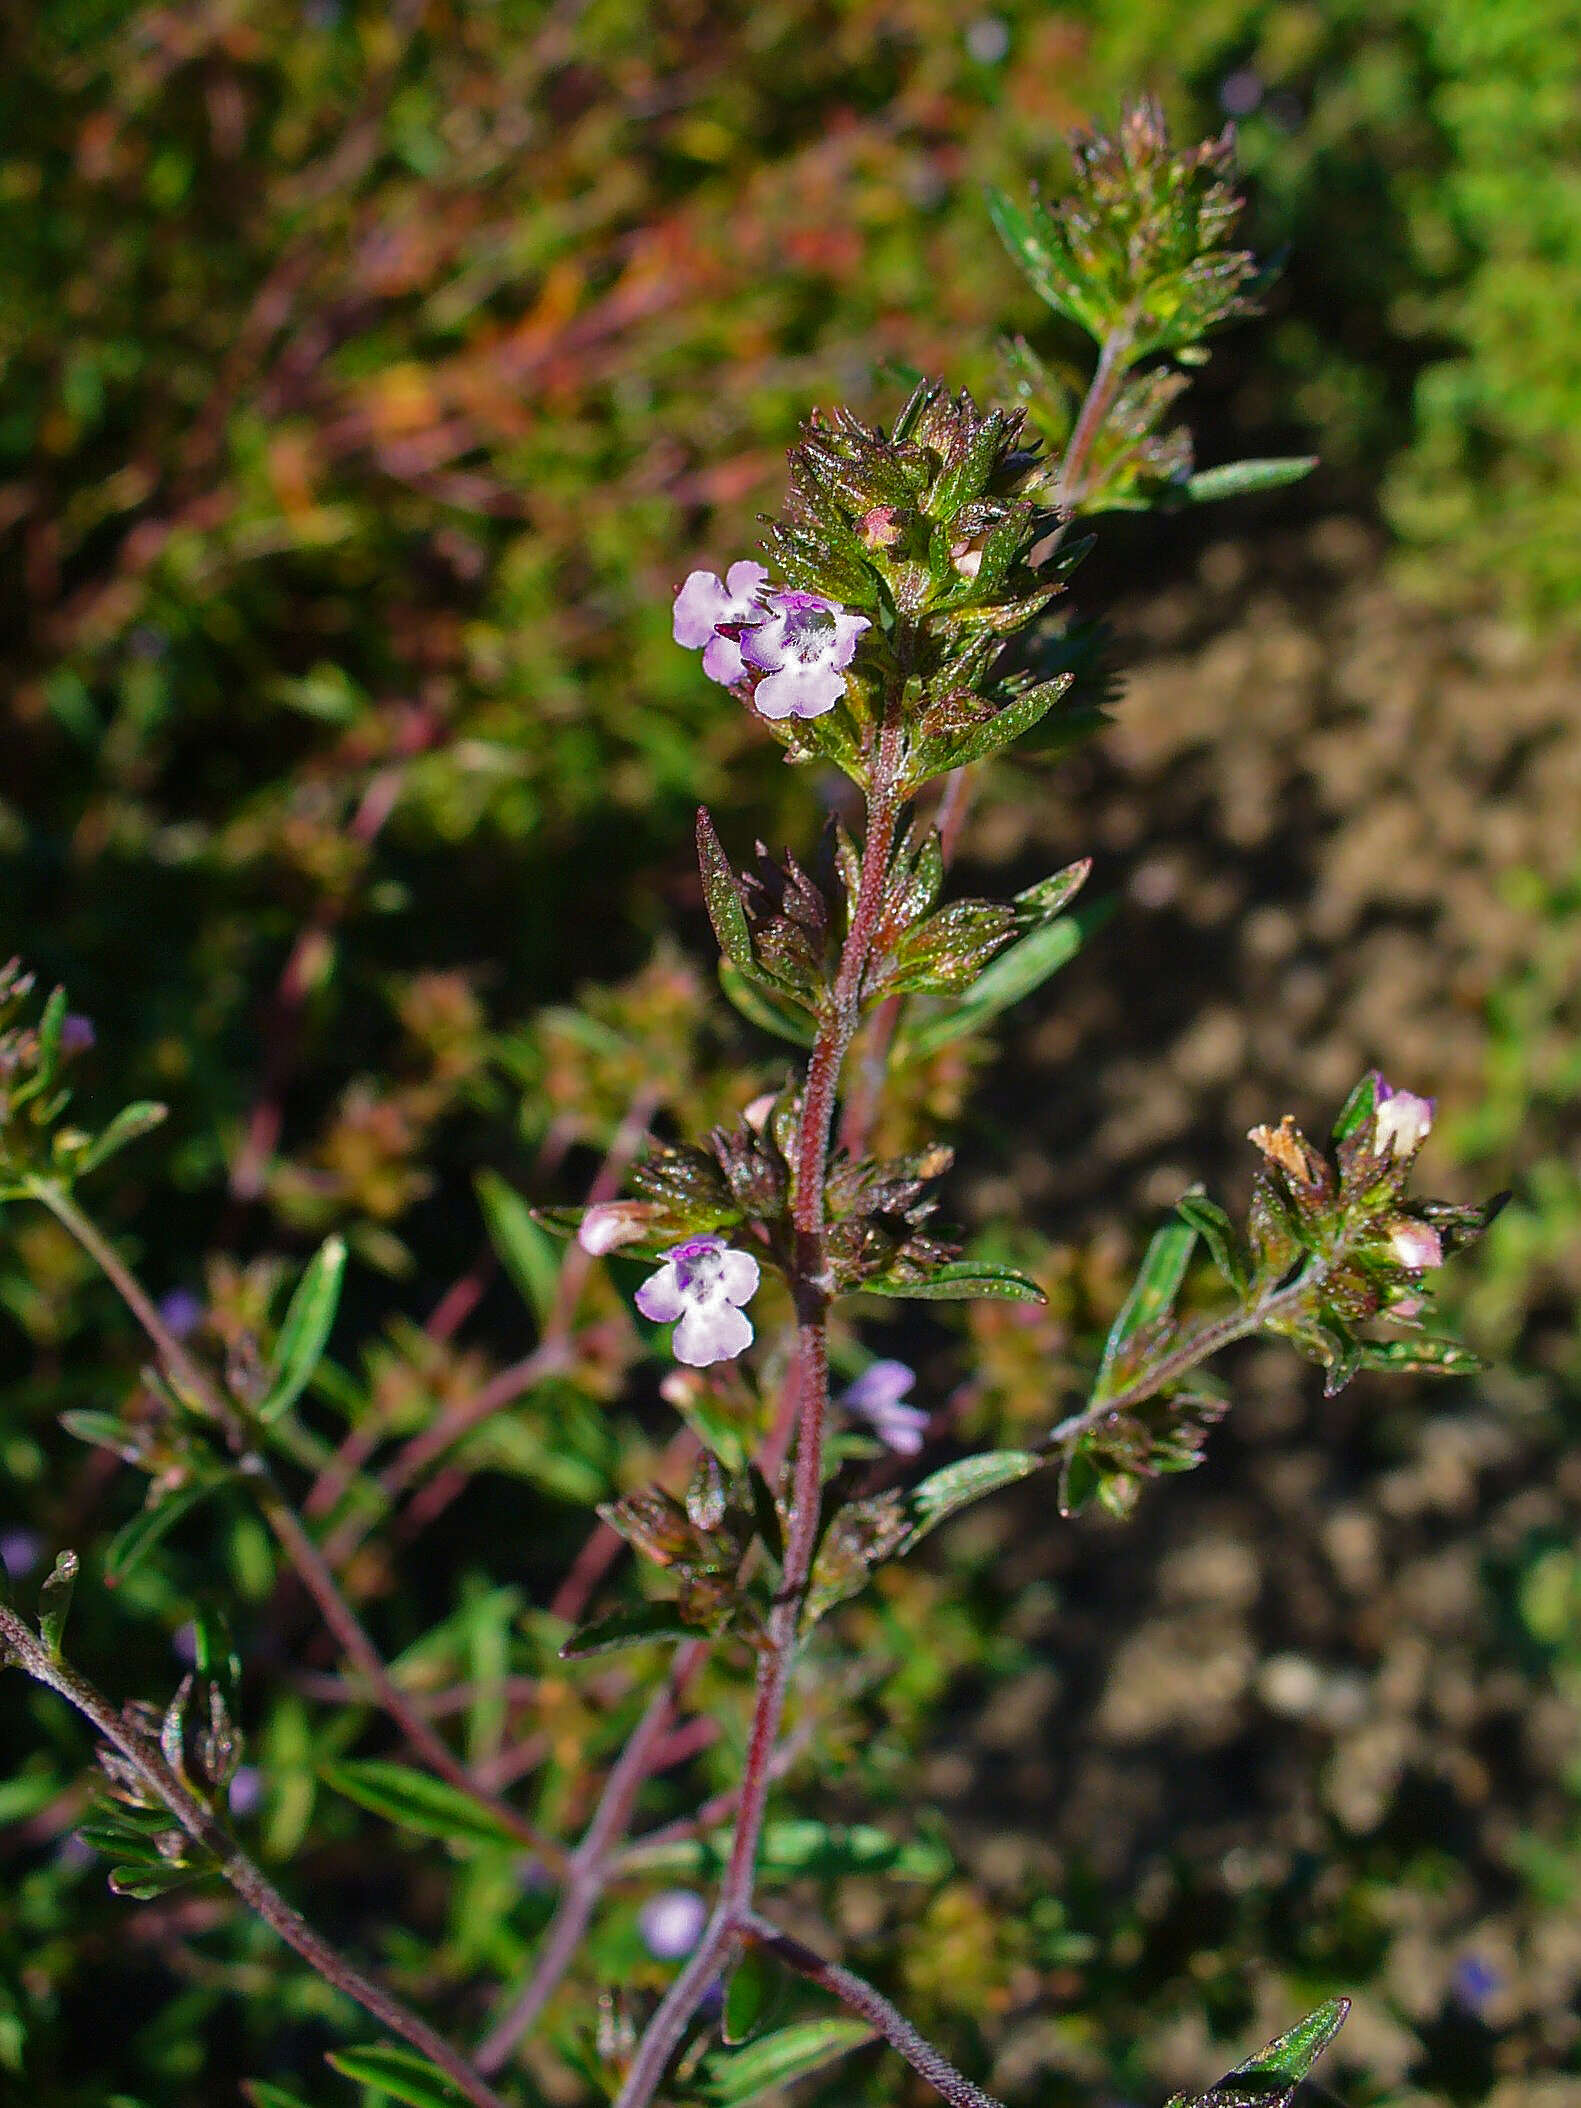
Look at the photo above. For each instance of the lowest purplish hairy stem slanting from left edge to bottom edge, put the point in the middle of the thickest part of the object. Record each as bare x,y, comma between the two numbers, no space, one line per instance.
233,1862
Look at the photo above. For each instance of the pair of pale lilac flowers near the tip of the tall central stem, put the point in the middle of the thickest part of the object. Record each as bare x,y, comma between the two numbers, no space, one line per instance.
794,648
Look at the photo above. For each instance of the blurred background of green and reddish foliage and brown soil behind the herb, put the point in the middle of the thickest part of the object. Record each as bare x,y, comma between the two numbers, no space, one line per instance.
368,380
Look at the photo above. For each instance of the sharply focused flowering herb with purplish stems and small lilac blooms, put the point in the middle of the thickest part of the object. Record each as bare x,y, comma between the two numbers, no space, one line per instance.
901,631
